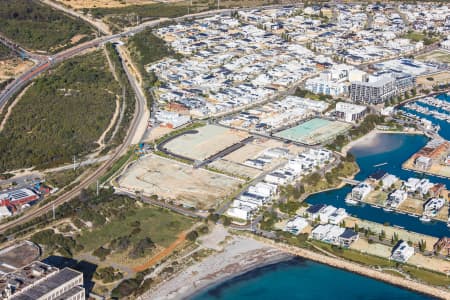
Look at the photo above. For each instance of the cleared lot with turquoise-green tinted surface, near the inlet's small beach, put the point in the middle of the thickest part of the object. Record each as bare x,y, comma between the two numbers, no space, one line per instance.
314,131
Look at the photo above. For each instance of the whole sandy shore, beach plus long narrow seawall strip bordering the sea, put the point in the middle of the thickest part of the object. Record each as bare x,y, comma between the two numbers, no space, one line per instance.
189,284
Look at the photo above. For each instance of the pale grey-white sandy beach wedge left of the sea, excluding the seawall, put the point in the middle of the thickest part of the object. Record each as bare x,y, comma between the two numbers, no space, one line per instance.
242,254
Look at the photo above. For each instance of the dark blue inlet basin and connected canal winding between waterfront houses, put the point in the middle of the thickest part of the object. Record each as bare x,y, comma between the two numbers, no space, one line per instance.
392,149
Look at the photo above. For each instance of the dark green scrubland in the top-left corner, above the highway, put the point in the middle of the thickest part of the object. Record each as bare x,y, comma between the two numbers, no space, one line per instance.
37,26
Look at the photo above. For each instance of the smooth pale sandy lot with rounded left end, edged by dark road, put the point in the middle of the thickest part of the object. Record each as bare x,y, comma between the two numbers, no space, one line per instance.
208,141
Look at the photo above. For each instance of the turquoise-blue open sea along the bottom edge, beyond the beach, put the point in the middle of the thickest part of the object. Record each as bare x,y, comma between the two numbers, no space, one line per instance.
304,279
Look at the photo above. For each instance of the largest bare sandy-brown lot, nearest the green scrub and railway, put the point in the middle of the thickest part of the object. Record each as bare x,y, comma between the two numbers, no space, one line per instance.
171,180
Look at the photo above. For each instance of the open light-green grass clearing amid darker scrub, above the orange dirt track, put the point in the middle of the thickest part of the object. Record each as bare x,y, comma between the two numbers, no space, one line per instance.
161,225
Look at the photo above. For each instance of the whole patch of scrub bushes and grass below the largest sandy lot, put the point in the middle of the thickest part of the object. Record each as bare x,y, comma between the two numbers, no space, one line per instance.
142,227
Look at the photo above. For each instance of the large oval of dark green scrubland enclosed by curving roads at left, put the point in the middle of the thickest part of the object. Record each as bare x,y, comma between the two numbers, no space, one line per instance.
61,115
